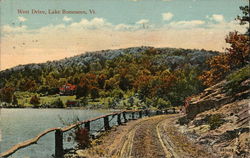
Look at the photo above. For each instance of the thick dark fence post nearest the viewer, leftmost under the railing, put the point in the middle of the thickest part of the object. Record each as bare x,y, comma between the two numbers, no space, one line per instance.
58,144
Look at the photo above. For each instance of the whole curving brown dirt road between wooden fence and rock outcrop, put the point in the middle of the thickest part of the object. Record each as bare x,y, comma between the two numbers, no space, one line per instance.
150,137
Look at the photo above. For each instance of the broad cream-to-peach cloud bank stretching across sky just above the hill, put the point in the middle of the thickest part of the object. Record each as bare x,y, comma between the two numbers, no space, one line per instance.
98,34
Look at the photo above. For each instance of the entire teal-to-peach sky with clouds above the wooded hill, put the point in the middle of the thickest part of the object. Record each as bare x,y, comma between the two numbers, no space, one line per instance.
89,25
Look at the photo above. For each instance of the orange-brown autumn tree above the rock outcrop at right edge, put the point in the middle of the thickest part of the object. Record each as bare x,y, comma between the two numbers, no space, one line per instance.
236,56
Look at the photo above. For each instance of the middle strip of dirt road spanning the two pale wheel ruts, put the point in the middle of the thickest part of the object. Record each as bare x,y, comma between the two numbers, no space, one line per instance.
145,141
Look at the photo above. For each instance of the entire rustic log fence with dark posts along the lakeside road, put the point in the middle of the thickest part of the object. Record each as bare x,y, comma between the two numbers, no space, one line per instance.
59,151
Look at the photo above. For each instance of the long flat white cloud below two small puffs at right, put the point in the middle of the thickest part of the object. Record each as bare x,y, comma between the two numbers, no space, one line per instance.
186,24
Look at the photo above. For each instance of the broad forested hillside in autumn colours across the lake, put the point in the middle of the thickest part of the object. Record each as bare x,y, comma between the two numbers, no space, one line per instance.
154,77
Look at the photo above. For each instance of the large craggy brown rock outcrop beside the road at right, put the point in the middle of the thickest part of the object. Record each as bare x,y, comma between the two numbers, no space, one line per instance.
231,137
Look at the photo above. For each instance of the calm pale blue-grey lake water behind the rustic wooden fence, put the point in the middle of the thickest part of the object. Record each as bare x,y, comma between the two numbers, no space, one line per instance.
17,125
